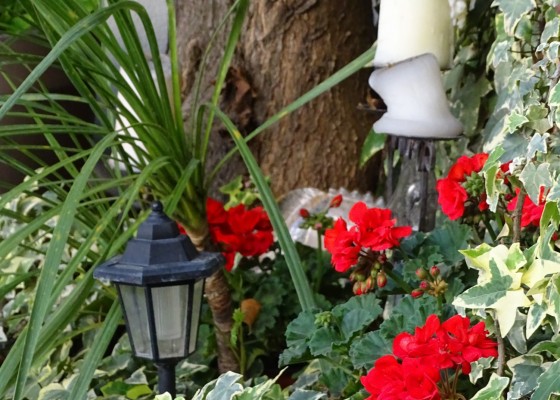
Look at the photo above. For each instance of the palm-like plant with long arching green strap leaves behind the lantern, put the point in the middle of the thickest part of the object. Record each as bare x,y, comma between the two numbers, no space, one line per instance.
92,196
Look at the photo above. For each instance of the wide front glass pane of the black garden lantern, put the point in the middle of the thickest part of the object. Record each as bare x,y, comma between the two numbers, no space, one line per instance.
170,314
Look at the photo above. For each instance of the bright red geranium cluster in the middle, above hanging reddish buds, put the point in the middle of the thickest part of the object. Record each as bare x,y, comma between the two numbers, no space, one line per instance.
374,230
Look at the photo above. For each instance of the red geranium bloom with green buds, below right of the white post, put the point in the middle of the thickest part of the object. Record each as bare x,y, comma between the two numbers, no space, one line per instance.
461,185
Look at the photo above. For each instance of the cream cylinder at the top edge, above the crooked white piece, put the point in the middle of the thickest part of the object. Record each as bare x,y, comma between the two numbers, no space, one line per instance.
409,28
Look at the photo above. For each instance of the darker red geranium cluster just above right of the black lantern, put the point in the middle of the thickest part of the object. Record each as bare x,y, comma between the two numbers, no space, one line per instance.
238,230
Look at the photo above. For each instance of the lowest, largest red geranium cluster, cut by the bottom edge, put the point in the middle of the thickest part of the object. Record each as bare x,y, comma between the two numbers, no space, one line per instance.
434,347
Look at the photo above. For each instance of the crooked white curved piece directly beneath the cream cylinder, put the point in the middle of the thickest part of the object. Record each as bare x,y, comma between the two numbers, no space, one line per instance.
416,103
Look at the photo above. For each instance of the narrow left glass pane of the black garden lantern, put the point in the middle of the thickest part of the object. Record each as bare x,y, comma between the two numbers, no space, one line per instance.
134,303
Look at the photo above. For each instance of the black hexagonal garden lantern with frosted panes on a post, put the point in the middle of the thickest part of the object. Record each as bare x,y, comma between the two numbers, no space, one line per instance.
160,281
